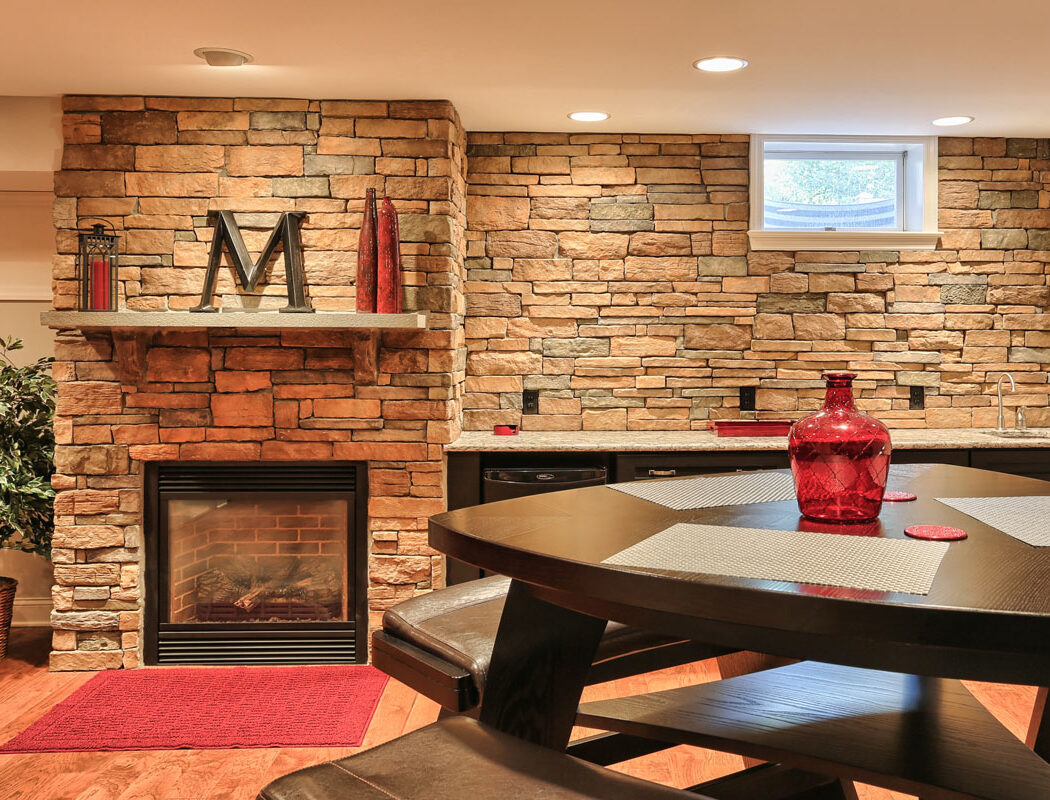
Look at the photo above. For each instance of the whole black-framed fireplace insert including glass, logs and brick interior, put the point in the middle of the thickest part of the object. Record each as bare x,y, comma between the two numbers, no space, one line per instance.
256,563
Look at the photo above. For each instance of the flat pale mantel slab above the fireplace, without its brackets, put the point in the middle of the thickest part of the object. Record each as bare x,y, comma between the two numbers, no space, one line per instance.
330,321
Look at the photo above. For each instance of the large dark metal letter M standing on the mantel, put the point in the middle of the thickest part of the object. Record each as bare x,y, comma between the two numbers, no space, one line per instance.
285,234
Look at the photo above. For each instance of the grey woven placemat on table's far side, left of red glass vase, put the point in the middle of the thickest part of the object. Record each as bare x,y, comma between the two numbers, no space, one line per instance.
704,492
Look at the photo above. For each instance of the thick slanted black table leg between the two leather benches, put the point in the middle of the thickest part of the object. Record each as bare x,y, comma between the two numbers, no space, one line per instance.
538,670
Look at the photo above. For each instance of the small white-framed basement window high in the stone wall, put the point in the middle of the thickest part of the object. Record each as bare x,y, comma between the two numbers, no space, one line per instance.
844,193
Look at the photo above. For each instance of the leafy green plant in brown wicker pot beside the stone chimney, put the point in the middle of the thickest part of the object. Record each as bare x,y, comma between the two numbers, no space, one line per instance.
27,465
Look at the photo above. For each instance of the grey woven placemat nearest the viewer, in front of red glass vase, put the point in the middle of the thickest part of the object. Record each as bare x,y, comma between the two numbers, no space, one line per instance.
889,565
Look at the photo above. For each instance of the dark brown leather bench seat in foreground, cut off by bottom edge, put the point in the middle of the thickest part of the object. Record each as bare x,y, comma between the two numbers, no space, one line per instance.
460,759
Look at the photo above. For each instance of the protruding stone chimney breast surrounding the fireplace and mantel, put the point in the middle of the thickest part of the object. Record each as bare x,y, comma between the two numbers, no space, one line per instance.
155,167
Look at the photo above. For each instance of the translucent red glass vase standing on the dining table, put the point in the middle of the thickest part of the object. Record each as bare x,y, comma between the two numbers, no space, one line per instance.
839,457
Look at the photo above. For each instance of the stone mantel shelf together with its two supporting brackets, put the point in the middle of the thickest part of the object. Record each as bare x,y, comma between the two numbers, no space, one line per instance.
133,331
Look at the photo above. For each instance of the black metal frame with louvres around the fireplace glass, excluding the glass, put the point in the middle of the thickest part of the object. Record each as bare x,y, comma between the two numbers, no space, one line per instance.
255,643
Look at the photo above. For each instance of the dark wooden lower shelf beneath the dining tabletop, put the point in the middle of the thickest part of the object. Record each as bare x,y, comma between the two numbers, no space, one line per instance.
921,736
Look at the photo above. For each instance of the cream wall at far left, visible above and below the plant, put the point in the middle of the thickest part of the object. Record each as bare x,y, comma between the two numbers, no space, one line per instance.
31,148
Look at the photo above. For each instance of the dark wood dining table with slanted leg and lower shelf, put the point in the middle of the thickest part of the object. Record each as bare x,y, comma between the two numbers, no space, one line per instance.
876,693
